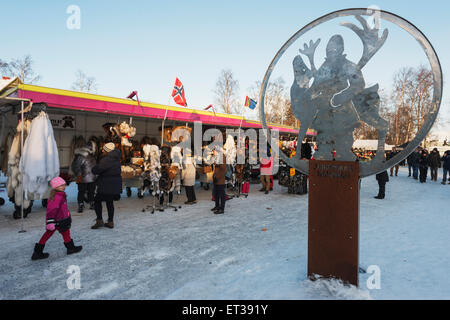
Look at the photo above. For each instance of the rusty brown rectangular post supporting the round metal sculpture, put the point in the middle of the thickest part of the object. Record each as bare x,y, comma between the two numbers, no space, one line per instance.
333,220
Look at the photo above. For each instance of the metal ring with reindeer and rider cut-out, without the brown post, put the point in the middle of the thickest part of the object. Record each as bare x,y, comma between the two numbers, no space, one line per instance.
333,99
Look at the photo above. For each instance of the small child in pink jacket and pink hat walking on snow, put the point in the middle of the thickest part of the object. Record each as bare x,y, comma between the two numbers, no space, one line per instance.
57,218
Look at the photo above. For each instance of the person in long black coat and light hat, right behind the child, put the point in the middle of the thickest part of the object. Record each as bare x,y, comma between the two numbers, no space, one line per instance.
109,184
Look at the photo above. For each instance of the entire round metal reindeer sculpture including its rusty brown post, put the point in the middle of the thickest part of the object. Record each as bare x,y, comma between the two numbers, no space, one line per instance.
333,100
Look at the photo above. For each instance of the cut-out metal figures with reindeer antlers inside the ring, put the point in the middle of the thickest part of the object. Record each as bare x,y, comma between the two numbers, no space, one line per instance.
337,100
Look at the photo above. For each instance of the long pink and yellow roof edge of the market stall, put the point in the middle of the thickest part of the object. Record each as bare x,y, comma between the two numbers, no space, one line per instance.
97,103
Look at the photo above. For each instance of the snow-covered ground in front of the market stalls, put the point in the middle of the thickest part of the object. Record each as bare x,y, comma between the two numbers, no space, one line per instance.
256,250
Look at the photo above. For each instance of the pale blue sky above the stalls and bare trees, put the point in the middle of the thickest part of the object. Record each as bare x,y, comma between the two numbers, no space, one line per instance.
144,45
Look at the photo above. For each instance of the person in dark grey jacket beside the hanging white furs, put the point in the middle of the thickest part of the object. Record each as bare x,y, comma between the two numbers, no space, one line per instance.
82,165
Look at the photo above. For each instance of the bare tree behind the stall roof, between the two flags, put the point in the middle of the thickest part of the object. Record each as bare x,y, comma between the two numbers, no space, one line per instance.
226,92
